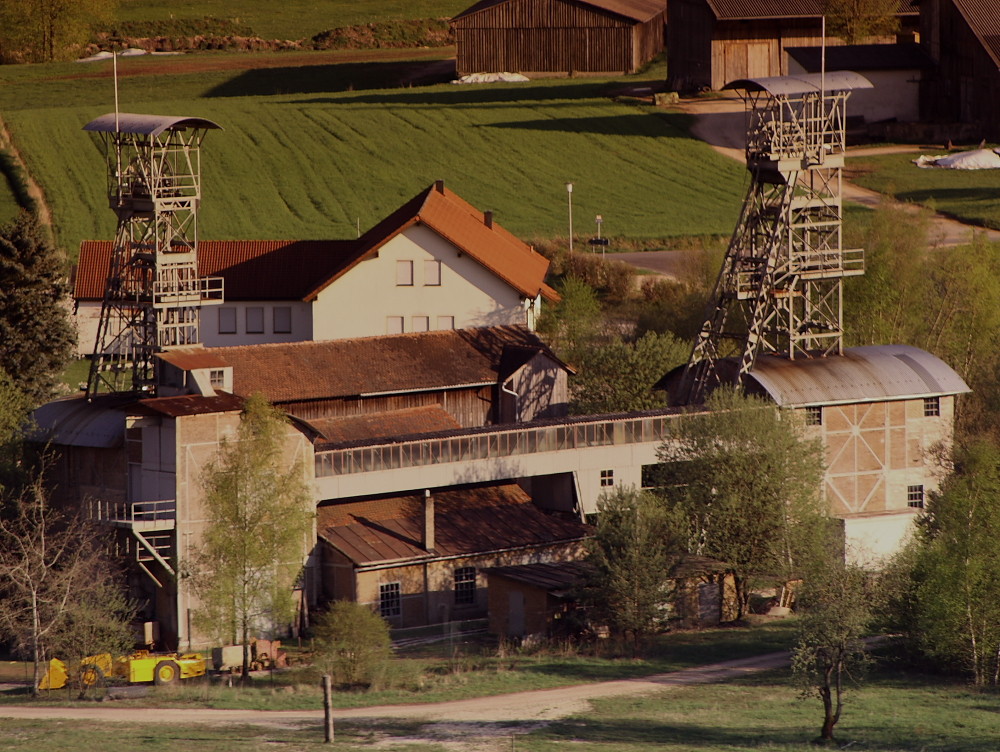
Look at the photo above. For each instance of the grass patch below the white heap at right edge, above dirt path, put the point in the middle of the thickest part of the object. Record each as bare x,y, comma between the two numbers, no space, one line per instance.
968,195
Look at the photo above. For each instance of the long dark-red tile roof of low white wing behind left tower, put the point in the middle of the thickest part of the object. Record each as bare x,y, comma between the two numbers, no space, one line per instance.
252,269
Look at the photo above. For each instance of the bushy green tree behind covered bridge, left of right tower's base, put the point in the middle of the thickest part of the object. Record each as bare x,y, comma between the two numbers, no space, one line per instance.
618,376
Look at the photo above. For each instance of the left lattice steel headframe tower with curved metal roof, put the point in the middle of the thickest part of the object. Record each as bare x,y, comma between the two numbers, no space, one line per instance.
153,295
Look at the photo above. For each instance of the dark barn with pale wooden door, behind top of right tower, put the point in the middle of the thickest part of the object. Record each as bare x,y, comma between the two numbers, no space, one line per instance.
713,42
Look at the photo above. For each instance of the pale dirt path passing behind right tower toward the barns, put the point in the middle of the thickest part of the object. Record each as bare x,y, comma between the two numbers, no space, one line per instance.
721,123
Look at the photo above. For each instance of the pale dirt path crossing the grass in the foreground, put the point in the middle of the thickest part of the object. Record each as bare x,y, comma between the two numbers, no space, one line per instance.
535,707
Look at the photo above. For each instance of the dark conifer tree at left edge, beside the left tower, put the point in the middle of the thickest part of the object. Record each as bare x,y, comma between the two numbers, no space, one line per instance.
35,329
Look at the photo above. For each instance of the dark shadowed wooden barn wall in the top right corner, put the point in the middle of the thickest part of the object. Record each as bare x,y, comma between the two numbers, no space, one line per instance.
965,87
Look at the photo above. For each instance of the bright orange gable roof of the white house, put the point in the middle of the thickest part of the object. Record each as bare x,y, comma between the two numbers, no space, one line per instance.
461,224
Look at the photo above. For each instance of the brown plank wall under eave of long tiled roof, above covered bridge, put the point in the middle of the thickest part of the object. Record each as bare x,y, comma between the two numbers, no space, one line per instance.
470,407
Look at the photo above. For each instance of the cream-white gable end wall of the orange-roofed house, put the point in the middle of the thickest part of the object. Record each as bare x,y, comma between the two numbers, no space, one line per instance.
360,303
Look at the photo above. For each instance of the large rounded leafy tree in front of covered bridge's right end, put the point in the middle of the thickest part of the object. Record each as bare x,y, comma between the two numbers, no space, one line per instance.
746,481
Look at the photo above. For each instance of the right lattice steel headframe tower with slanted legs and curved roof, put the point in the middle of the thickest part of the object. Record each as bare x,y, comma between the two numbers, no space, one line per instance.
780,289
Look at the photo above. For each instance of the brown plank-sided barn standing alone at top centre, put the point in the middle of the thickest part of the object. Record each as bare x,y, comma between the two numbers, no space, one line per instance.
546,37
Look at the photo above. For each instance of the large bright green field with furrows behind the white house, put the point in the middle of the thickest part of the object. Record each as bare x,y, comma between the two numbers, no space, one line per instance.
305,153
